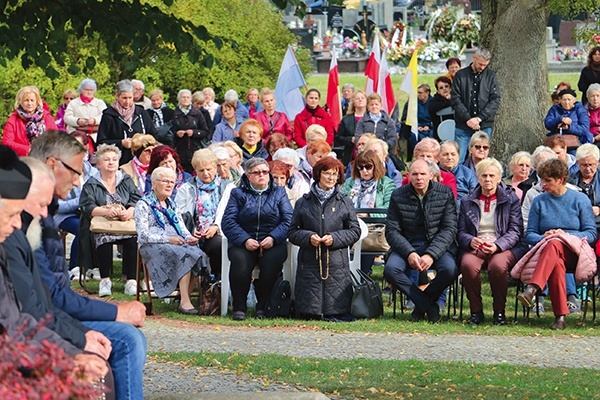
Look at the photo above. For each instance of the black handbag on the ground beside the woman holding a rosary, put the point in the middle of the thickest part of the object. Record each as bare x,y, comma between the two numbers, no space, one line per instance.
366,300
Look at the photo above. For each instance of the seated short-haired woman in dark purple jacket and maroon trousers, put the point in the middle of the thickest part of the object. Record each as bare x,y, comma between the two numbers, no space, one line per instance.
490,233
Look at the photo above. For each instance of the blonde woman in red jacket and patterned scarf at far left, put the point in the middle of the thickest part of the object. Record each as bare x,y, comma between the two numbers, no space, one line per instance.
28,121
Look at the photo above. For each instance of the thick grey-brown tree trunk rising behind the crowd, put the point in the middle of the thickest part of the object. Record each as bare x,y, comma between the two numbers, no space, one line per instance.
514,31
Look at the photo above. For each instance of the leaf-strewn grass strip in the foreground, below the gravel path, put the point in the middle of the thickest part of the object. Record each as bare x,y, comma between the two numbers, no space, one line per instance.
378,379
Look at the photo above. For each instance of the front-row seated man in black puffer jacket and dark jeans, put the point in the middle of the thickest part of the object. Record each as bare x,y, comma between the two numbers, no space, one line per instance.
421,230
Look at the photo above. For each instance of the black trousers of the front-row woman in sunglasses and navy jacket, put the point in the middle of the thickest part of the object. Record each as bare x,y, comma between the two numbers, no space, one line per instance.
240,274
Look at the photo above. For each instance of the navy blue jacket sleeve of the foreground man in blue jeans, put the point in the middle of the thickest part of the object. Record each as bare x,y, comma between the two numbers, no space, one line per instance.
51,260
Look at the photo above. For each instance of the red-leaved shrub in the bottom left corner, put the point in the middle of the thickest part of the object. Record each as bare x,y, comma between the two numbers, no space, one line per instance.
30,371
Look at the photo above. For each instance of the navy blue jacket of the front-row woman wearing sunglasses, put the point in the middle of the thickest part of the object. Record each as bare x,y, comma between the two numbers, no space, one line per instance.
250,215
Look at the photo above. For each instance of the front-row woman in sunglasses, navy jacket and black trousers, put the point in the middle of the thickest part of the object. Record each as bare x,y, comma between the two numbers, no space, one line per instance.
255,223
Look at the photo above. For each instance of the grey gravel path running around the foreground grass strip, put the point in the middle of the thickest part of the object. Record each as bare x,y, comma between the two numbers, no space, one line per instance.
165,336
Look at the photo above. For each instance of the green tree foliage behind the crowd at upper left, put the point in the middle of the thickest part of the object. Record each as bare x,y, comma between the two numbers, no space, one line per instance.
168,44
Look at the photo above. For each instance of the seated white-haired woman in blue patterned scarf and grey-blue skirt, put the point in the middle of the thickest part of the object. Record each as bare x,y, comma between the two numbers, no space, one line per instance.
165,244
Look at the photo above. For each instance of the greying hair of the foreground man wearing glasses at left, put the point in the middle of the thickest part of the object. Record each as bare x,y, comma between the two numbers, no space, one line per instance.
57,144
